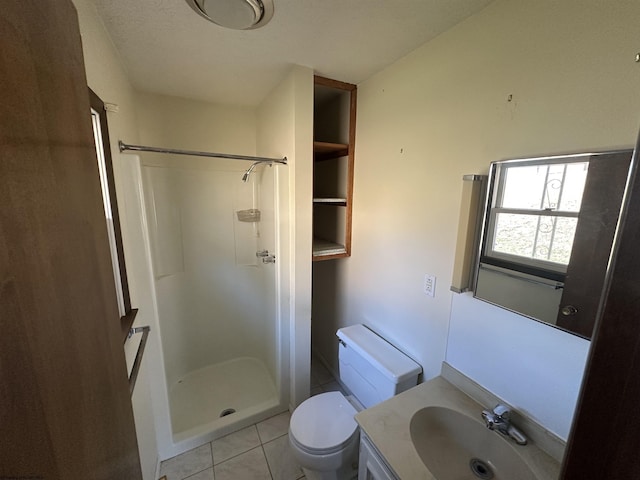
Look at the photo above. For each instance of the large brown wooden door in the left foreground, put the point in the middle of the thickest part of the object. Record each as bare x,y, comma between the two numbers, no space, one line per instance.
65,411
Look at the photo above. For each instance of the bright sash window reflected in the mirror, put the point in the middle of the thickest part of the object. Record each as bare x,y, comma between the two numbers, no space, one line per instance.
534,214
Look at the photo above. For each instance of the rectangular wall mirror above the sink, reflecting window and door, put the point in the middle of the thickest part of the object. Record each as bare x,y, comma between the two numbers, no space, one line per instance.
547,232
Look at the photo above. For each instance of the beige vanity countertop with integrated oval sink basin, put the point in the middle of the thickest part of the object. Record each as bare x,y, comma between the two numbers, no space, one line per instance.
434,431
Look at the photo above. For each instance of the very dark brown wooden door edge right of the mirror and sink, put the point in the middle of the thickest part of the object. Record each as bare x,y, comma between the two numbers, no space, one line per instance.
604,440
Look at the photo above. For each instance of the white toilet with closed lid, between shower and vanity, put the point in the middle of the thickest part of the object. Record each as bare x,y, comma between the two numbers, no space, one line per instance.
323,433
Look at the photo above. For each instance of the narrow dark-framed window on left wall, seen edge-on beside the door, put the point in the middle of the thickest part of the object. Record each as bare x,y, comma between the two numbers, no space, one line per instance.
105,167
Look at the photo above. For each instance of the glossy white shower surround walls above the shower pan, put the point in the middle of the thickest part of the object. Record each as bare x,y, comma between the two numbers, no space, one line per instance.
212,308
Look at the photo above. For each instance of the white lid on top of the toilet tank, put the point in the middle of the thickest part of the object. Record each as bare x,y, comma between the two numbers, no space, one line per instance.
386,358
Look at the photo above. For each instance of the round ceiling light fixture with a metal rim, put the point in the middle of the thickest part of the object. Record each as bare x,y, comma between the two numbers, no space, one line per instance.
236,14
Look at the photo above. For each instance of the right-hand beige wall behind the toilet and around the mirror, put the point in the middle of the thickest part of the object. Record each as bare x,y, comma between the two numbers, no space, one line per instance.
443,111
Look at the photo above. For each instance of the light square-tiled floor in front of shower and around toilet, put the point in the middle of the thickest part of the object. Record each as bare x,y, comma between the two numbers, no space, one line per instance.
258,452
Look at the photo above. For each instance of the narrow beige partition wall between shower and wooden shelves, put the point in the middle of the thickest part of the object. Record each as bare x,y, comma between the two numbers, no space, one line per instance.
285,122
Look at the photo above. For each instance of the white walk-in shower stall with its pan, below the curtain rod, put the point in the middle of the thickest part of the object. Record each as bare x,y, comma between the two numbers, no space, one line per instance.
213,235
